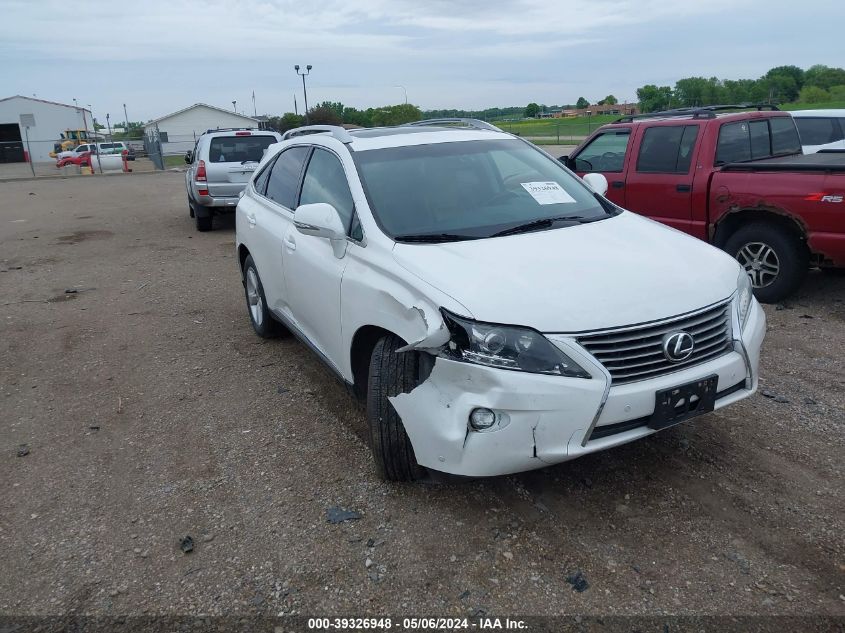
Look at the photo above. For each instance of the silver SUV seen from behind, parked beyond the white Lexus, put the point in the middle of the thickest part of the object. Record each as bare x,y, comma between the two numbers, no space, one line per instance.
221,165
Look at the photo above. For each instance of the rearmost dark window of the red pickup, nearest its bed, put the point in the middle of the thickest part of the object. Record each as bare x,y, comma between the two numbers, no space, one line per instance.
746,140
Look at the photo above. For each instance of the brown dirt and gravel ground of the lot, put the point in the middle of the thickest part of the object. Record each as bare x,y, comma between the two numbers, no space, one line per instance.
141,408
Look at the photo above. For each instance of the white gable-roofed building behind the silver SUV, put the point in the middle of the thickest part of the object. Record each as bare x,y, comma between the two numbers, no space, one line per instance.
178,131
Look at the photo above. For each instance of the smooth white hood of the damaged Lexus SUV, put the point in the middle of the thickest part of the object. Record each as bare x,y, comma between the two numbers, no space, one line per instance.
615,272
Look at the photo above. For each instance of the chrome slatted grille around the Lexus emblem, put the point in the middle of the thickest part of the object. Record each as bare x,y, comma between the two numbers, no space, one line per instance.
636,353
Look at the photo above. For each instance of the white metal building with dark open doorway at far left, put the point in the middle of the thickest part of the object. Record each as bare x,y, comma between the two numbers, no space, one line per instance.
48,118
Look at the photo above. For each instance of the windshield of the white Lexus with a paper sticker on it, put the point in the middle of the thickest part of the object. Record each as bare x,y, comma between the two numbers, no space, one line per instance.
471,189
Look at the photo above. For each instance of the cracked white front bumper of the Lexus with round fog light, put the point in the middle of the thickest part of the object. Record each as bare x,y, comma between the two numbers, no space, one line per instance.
546,419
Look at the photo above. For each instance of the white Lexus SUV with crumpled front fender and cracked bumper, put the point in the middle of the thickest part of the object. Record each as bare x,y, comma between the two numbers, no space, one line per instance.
496,313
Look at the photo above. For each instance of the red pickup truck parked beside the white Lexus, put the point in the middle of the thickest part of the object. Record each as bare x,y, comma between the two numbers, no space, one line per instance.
735,179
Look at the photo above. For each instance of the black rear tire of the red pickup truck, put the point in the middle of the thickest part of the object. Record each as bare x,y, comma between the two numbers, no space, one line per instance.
788,251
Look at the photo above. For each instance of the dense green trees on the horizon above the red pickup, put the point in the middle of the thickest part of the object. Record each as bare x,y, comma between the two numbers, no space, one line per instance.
782,84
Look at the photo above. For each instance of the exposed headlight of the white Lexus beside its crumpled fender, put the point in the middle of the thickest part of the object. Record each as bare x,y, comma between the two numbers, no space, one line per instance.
507,347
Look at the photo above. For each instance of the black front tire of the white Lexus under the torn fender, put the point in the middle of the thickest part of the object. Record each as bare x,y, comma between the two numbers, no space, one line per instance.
390,374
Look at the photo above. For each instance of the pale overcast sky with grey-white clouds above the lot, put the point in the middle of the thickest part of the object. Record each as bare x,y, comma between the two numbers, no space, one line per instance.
159,56
